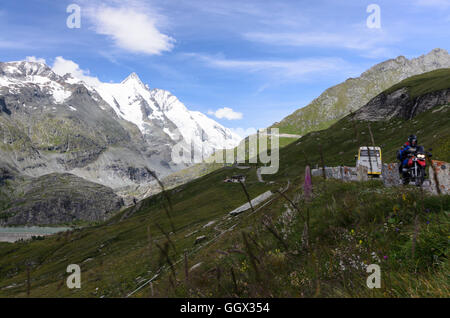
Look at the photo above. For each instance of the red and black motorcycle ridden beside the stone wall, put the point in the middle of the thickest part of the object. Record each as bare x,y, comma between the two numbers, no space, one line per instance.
414,170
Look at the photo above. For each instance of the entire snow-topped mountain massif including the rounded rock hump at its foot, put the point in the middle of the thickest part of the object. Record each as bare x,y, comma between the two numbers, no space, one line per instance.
106,136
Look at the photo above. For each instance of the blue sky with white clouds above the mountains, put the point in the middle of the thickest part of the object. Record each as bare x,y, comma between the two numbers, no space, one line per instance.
262,59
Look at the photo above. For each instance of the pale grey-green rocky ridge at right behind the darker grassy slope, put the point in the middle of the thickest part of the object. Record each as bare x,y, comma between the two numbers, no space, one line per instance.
338,101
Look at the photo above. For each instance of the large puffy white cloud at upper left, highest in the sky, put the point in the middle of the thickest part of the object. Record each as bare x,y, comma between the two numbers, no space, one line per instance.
131,28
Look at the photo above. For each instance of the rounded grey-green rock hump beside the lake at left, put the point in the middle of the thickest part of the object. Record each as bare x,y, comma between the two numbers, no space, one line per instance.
60,199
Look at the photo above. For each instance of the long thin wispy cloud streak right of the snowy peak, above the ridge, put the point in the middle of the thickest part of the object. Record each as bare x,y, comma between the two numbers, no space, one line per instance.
281,68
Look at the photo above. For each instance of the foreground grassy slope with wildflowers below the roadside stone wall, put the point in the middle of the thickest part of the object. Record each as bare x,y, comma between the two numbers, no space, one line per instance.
351,226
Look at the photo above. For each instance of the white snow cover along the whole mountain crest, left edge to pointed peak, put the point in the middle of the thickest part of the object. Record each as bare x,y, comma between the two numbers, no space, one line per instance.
131,100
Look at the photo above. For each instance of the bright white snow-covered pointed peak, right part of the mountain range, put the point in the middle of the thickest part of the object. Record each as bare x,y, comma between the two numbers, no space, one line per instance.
147,108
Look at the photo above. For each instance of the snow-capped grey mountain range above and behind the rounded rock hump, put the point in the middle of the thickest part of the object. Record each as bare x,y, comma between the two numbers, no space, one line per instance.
106,133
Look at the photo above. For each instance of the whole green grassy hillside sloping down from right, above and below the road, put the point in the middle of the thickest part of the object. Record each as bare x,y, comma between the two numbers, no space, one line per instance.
263,249
